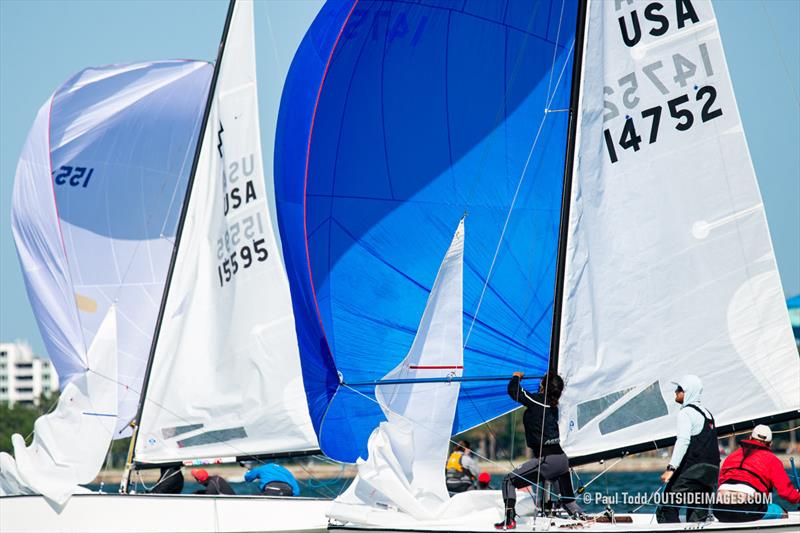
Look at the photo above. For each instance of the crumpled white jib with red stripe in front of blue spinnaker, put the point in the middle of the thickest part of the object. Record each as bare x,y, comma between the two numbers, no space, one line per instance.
404,464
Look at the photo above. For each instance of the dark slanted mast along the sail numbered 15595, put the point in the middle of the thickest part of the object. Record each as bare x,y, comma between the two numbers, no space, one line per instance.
184,210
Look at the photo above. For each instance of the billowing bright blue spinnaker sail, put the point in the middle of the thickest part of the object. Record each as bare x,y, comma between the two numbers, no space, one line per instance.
396,118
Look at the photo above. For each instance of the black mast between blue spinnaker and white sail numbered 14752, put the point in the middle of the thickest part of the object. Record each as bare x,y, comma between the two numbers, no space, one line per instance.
566,193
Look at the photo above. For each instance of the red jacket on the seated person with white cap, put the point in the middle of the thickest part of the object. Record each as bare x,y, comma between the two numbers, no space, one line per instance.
754,464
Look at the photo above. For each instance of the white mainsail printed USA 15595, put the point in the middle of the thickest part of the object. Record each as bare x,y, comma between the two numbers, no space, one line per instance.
226,378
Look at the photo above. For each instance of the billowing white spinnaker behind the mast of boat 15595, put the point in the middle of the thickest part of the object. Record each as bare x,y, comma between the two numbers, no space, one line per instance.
95,205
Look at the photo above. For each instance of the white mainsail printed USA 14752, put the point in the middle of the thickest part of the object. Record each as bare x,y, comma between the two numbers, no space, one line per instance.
670,268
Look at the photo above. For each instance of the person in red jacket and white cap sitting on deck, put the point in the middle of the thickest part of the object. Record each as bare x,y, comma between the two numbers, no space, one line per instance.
747,478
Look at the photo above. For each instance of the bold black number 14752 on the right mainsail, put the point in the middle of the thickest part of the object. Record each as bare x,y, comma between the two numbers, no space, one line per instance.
680,114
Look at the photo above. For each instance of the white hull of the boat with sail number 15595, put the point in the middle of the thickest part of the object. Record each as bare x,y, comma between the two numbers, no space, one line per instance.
157,513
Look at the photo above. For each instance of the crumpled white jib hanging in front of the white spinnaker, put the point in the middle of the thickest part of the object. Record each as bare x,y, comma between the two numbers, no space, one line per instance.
70,444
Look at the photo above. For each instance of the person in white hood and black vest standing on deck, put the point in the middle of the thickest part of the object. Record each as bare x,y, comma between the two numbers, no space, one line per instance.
691,476
